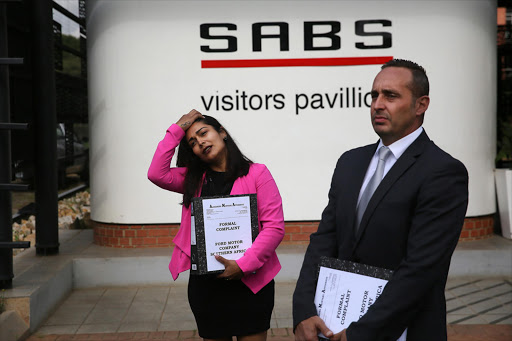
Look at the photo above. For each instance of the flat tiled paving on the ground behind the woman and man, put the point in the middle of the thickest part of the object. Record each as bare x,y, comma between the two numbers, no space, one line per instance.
162,312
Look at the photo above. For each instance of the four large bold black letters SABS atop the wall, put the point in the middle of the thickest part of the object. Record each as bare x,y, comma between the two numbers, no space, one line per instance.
331,29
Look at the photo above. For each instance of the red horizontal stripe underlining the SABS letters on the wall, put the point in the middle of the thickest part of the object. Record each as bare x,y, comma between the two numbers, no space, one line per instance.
234,63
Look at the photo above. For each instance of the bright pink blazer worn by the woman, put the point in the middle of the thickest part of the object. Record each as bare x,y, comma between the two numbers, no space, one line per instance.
259,263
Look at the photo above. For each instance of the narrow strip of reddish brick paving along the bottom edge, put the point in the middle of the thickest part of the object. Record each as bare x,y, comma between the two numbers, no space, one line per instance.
456,332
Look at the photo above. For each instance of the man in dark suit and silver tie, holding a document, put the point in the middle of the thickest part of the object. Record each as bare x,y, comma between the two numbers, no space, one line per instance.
410,224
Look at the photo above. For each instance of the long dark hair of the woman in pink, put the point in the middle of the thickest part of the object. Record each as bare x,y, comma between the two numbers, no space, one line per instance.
237,163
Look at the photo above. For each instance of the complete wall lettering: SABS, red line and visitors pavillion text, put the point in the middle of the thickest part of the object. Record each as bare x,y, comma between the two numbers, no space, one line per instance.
221,38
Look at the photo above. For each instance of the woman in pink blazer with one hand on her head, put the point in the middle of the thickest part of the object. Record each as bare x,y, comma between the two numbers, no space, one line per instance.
239,301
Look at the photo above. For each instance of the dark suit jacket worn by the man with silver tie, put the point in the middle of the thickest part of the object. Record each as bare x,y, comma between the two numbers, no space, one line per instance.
411,225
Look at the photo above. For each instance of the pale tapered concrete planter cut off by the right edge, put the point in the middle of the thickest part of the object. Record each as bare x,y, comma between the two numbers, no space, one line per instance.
503,179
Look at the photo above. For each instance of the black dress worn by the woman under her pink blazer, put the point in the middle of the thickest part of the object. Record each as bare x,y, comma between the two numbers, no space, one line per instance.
227,308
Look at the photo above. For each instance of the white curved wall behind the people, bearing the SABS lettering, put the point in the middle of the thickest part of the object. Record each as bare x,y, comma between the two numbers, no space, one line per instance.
145,72
